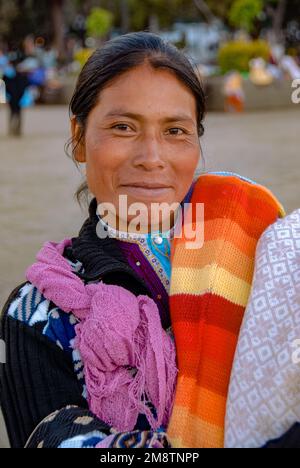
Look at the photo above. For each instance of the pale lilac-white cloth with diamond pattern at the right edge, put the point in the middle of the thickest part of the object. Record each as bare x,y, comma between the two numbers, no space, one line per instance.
264,394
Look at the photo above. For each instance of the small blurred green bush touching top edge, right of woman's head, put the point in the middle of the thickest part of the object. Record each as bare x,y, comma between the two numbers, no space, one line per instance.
244,13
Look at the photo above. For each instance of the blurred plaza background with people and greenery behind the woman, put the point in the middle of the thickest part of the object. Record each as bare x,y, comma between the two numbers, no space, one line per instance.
246,51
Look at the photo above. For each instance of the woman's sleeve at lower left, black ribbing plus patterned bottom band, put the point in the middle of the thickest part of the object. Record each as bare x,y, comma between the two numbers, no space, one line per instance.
41,397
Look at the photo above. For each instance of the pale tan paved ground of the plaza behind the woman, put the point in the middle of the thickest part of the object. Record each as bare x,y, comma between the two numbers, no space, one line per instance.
37,180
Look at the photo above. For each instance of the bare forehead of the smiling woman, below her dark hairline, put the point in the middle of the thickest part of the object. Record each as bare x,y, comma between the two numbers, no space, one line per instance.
144,90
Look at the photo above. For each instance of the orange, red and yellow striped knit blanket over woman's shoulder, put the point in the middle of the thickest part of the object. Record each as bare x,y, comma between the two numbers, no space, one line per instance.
210,288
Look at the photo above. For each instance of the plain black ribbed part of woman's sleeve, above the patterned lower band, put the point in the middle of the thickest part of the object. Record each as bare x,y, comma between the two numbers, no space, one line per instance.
36,379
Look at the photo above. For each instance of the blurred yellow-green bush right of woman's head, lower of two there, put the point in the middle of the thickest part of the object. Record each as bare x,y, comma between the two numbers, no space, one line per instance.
236,55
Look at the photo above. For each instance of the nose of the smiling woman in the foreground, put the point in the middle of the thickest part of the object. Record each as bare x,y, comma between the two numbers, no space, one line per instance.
150,154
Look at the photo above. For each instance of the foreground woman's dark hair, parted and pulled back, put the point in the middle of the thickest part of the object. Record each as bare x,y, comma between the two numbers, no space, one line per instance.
118,56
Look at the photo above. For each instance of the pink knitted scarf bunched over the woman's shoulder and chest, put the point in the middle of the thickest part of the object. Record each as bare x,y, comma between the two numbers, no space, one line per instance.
129,360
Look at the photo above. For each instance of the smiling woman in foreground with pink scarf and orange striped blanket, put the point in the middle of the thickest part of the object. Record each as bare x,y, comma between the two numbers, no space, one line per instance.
91,359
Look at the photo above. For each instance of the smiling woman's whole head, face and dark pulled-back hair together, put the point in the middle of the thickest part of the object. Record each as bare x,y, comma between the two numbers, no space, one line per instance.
137,124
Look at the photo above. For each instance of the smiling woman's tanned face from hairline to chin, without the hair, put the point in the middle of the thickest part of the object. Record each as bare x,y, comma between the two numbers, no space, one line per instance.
141,139
